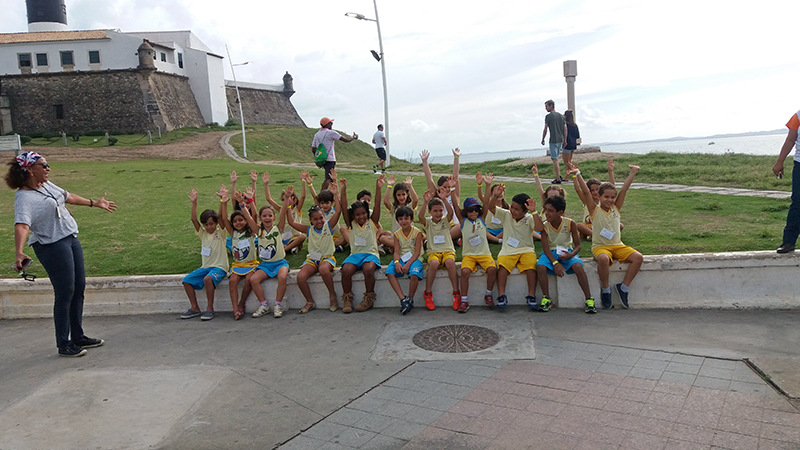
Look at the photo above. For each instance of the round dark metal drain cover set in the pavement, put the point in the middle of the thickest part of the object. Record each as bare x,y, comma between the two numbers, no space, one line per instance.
456,339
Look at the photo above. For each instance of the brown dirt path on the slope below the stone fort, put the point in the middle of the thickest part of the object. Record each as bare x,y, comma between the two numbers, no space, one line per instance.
199,146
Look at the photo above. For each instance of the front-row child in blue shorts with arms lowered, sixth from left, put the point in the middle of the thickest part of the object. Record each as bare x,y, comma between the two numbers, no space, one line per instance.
407,258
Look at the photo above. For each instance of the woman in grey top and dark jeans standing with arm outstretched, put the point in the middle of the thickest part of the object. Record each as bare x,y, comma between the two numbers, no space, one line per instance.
40,209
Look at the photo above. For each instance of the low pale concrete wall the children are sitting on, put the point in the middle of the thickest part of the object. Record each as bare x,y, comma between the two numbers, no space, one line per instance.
708,280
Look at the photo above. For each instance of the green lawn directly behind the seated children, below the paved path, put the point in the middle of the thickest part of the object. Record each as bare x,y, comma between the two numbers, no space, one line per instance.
151,232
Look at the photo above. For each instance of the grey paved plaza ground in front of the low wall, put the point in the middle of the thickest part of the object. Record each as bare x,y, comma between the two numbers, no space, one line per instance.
634,379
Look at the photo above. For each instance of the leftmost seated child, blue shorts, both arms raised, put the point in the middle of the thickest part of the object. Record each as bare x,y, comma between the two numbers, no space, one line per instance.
214,257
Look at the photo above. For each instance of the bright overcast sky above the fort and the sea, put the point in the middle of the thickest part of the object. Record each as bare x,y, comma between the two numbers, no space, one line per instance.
477,77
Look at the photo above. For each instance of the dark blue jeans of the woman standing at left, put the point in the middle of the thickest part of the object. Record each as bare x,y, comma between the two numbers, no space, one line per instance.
63,261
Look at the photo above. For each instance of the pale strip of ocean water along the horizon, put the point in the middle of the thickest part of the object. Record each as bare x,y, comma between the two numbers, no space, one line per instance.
752,145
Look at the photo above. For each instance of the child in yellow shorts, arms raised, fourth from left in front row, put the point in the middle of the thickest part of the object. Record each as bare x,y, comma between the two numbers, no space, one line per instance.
320,249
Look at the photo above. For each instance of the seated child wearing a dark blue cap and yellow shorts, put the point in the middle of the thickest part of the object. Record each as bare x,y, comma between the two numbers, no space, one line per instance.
475,250
